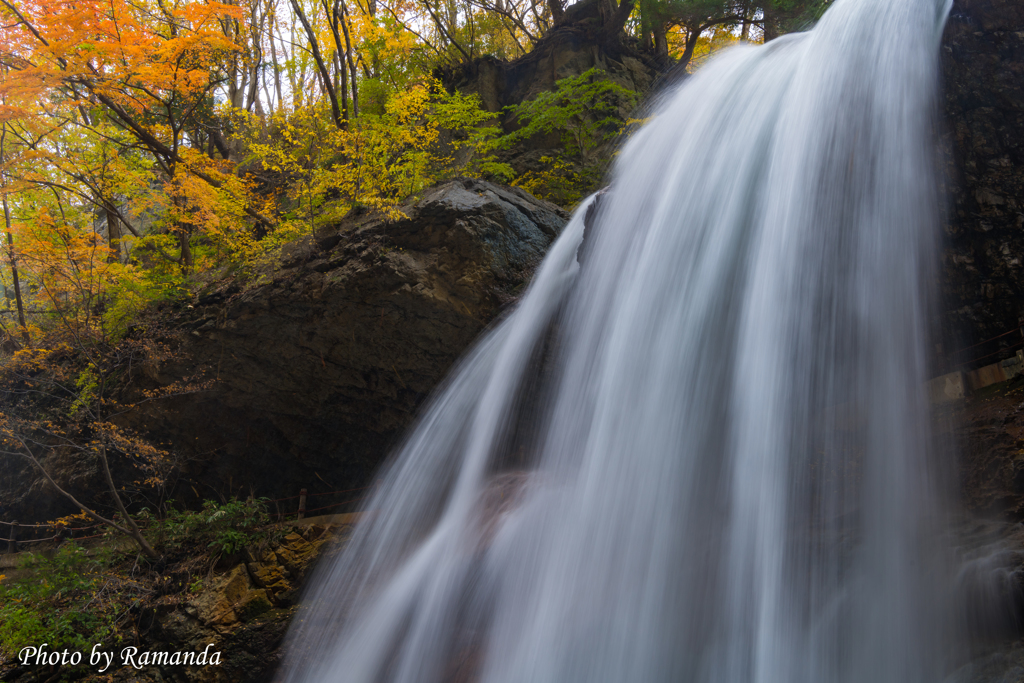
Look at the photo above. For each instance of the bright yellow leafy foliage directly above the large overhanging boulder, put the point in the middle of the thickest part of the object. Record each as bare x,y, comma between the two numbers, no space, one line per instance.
423,136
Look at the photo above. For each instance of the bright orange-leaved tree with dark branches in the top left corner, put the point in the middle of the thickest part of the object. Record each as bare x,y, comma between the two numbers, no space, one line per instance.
148,70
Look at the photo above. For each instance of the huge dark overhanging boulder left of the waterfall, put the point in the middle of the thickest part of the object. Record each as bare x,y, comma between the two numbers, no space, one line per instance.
322,367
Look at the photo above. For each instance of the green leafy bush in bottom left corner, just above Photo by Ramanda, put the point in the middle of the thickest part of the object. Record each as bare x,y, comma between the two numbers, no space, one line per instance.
58,603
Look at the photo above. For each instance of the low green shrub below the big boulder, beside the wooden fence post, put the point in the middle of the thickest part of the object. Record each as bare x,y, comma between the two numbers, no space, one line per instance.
227,529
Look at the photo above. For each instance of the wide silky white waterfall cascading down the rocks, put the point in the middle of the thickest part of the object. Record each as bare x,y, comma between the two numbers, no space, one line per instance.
701,452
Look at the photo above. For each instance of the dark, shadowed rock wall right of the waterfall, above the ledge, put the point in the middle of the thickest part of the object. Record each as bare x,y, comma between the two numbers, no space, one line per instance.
984,263
